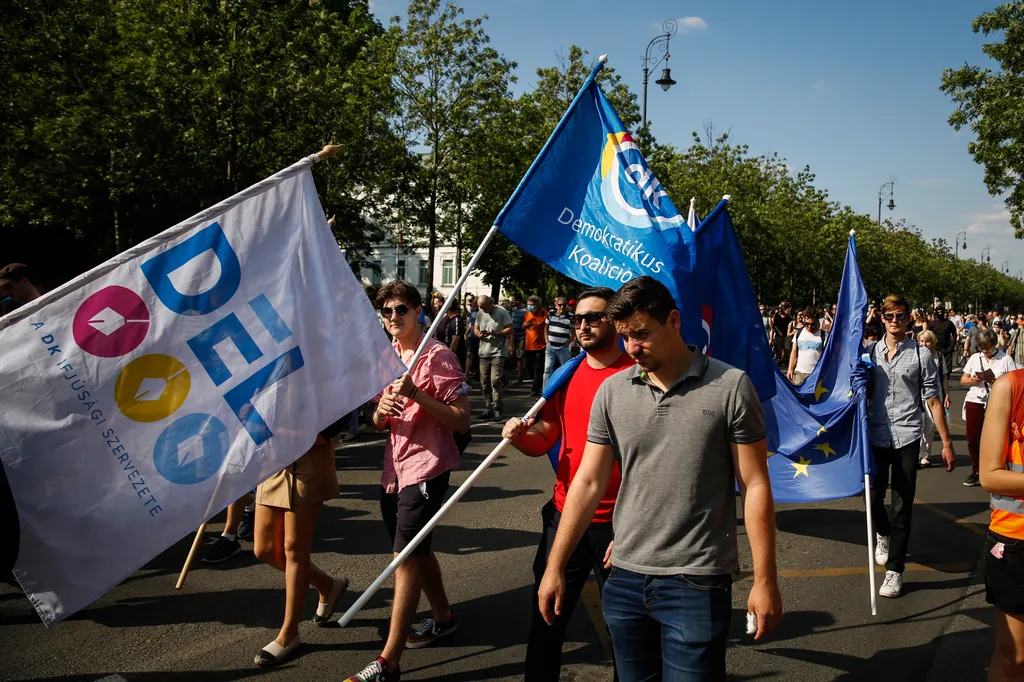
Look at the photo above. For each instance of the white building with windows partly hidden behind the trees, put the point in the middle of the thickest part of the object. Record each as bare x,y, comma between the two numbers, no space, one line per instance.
411,265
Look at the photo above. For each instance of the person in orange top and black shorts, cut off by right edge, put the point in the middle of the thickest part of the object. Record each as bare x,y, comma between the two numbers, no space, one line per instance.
1002,473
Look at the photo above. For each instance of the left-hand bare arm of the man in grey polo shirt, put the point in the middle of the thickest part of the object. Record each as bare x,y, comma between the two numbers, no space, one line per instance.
588,488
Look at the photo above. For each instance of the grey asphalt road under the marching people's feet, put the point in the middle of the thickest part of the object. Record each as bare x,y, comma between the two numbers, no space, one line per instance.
146,630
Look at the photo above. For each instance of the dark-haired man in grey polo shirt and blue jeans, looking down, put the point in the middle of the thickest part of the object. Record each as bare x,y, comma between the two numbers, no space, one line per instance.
685,429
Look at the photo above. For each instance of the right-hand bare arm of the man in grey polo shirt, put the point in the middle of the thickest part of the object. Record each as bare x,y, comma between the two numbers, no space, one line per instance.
751,463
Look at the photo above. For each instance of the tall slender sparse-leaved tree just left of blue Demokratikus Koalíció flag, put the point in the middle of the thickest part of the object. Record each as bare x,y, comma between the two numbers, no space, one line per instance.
449,82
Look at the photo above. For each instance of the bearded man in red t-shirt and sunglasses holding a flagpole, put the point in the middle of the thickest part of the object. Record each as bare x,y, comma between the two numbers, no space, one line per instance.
568,417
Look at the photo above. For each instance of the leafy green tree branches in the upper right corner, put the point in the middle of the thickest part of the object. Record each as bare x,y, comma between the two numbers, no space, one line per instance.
992,104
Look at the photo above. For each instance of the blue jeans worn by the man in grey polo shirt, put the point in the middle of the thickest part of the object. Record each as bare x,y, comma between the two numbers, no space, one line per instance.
672,628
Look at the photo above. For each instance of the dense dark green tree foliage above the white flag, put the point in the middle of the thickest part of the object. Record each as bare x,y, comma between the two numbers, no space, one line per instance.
127,116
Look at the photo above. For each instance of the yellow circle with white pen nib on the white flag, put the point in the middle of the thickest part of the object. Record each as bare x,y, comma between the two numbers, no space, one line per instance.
152,388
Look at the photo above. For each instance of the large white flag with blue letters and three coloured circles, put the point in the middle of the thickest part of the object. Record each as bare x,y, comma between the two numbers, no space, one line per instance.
145,397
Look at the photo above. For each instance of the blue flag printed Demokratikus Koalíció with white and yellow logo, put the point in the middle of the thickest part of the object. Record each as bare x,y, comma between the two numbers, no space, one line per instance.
591,208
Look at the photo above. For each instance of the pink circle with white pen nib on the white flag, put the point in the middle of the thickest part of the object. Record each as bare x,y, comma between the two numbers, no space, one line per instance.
111,323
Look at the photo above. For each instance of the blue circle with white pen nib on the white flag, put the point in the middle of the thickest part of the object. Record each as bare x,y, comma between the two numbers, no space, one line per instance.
192,450
